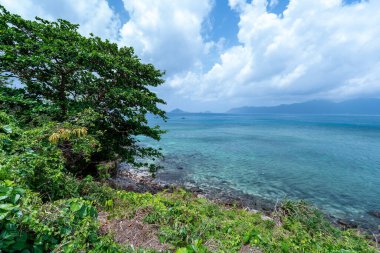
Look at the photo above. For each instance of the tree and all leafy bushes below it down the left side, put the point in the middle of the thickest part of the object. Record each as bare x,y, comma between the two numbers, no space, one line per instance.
69,107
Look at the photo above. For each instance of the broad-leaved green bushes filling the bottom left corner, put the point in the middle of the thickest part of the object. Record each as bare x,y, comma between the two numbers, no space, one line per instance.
29,225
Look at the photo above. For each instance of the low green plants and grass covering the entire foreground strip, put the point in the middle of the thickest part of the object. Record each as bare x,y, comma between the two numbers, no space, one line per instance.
180,221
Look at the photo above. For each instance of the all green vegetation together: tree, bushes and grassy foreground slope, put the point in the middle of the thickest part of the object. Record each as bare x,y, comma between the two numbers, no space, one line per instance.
71,107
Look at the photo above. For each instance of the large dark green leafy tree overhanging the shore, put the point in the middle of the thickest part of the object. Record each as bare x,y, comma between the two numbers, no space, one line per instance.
86,82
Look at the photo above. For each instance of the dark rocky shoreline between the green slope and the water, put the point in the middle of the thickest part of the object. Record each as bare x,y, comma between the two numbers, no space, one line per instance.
140,180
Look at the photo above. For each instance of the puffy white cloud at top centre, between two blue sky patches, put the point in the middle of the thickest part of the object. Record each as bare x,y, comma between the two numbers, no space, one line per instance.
167,33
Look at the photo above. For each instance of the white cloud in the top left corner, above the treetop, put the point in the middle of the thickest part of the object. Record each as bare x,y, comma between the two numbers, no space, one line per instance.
94,16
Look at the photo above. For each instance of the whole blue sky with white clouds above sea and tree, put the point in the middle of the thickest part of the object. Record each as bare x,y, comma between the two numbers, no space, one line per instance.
220,54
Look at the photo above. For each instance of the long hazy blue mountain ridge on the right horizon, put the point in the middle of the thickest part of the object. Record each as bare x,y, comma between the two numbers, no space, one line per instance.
356,106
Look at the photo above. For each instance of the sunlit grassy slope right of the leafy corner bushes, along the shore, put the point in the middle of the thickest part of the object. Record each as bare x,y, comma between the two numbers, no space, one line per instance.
192,224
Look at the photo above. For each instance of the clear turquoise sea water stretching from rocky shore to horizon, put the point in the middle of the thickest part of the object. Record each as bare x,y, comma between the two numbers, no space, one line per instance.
331,161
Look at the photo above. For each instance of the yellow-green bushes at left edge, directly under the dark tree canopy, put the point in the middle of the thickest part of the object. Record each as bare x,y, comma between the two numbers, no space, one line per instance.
29,158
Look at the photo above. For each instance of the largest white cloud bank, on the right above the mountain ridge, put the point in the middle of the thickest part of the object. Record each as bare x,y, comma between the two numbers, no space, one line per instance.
315,49
